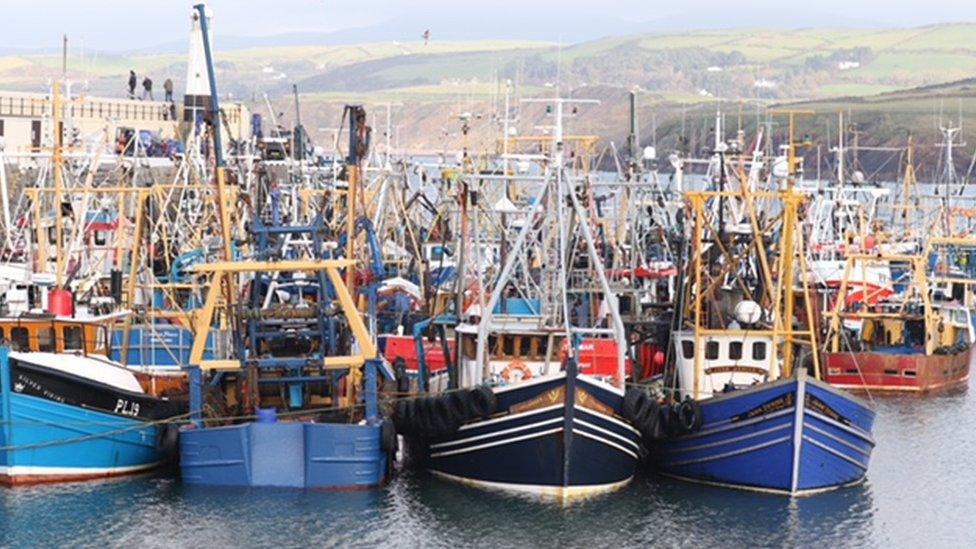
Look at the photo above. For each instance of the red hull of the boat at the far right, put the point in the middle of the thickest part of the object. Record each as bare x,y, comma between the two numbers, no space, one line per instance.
899,373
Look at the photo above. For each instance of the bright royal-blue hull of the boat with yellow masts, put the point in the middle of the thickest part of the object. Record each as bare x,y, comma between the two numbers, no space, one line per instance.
792,437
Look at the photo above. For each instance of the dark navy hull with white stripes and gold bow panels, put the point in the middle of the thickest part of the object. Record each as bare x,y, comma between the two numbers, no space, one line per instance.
558,437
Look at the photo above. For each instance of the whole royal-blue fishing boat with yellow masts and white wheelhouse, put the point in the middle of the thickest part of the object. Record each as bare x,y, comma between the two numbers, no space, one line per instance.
742,358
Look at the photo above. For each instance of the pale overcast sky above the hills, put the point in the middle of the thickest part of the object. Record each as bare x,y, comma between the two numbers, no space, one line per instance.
121,25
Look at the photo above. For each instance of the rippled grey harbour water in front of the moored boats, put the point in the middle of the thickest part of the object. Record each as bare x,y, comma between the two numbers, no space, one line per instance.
920,492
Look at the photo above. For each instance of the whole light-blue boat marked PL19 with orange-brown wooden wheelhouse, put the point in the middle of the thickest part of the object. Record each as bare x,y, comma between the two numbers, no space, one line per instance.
69,413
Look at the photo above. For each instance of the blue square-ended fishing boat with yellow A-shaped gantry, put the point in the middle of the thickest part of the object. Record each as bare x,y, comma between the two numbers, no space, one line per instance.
294,403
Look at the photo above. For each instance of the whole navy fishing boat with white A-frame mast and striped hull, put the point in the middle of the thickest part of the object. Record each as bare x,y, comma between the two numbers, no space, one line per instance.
527,409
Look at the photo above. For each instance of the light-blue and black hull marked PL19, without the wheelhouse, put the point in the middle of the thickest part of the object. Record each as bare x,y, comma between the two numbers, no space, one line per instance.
57,427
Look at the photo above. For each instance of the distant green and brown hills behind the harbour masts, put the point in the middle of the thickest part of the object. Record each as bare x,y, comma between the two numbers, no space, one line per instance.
893,81
